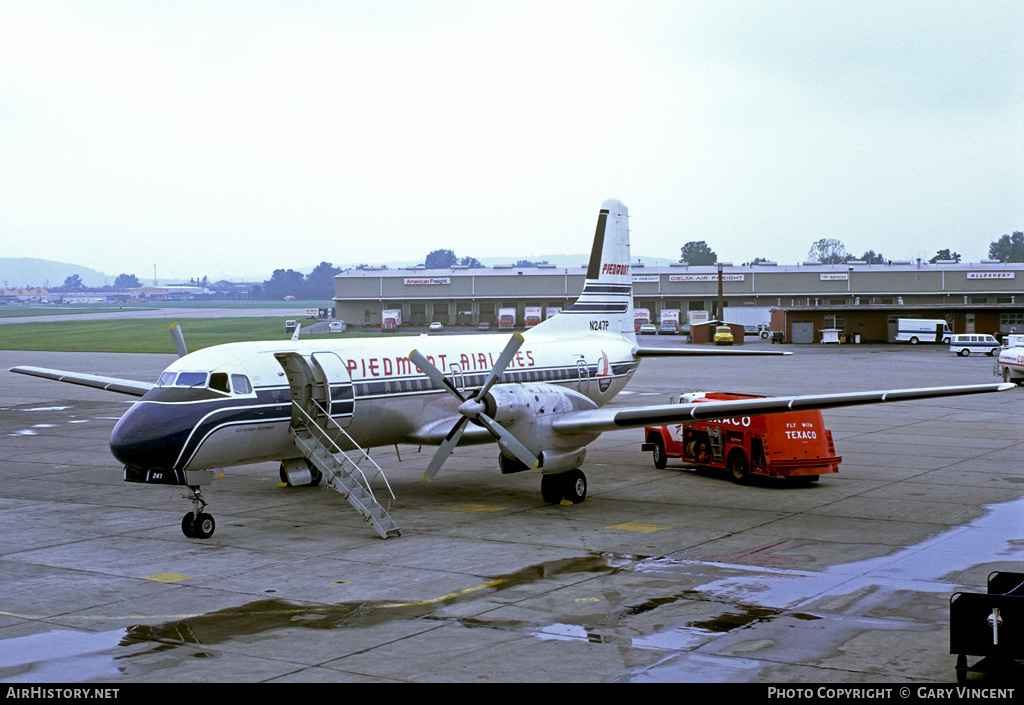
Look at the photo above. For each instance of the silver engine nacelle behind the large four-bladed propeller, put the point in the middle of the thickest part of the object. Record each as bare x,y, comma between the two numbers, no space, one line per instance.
528,411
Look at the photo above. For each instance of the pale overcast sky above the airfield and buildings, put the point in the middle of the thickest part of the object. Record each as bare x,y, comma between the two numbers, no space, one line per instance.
231,139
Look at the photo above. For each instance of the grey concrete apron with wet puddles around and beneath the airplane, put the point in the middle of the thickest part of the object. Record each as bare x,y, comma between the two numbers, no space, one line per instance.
668,575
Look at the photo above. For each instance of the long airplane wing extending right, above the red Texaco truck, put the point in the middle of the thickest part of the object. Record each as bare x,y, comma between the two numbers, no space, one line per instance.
596,421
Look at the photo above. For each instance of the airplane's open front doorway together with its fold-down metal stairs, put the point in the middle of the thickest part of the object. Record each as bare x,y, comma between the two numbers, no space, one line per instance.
319,437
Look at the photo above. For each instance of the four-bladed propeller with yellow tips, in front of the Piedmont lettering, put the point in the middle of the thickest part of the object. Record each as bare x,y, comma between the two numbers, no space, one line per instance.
473,410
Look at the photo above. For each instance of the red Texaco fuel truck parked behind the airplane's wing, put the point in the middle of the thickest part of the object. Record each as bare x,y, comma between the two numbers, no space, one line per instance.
794,445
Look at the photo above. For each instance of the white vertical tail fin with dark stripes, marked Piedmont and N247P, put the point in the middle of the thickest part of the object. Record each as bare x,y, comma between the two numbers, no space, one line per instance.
607,302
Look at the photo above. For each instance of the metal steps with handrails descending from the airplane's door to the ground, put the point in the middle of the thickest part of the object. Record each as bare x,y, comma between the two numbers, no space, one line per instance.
315,437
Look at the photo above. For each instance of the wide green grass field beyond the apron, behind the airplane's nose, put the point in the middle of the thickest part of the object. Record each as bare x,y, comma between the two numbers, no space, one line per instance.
141,336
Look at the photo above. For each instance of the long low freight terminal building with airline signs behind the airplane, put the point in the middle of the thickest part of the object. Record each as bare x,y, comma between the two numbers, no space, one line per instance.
857,299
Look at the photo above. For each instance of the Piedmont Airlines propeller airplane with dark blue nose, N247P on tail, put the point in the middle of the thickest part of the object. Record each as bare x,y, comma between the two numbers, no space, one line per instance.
541,395
